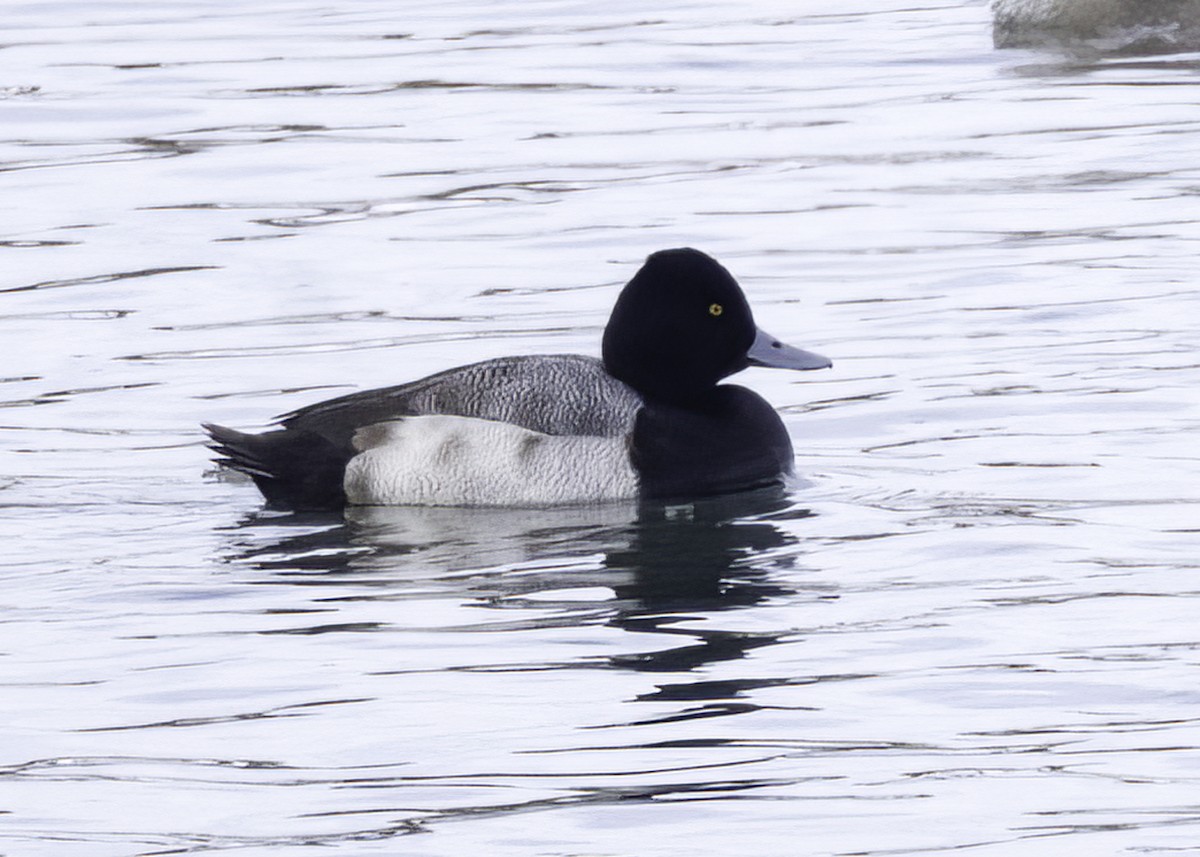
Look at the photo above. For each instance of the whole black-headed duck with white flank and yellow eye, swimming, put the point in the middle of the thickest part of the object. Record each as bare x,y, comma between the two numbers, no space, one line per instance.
650,419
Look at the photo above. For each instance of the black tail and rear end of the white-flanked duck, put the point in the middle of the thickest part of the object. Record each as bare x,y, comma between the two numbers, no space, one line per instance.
295,470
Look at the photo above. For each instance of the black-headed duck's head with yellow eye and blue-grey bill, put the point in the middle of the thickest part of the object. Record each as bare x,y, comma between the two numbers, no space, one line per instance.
682,325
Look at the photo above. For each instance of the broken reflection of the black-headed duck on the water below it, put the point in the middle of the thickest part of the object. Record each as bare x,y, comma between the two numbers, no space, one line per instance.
664,564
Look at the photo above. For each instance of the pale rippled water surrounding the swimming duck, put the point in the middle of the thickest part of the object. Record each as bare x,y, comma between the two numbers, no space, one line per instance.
973,627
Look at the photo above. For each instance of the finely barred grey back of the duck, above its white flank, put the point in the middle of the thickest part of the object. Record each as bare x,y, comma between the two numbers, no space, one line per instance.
554,394
